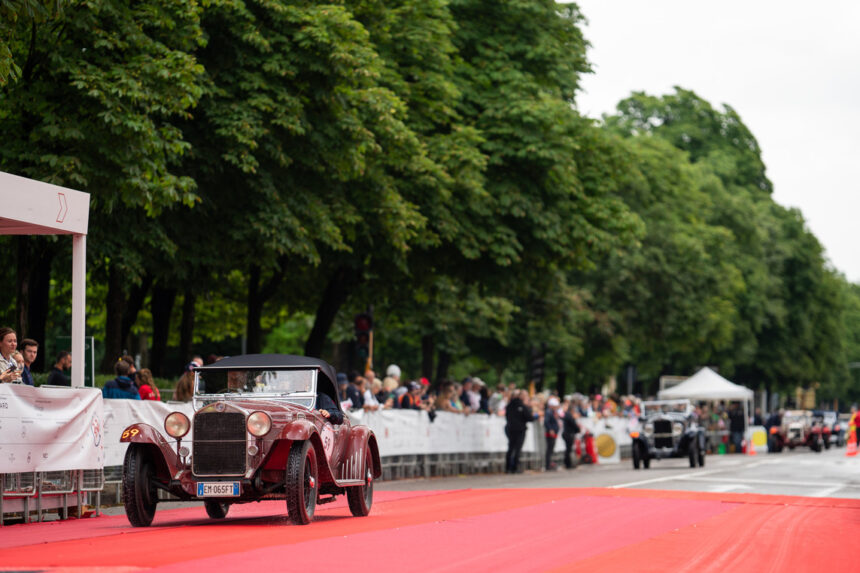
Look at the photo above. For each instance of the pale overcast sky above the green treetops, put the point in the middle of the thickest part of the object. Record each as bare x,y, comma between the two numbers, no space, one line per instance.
791,70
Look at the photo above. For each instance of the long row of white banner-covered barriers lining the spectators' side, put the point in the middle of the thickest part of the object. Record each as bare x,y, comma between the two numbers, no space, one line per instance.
44,429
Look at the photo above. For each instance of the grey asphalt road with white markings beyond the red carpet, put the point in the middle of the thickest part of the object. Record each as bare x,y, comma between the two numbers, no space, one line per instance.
801,472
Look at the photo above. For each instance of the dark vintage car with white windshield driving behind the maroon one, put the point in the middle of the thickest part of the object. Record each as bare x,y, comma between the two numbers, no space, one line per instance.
668,429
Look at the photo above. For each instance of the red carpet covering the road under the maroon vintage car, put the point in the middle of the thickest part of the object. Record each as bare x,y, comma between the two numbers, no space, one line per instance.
494,530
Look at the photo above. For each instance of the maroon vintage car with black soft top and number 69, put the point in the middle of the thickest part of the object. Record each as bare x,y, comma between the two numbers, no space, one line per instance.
256,433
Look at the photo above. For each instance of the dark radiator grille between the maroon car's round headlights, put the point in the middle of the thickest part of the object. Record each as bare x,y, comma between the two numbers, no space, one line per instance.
219,444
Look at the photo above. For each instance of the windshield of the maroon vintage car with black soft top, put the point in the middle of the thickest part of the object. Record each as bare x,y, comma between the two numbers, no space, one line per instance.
299,384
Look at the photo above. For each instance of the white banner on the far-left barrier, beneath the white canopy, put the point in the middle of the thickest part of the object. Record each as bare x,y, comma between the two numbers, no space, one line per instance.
50,429
